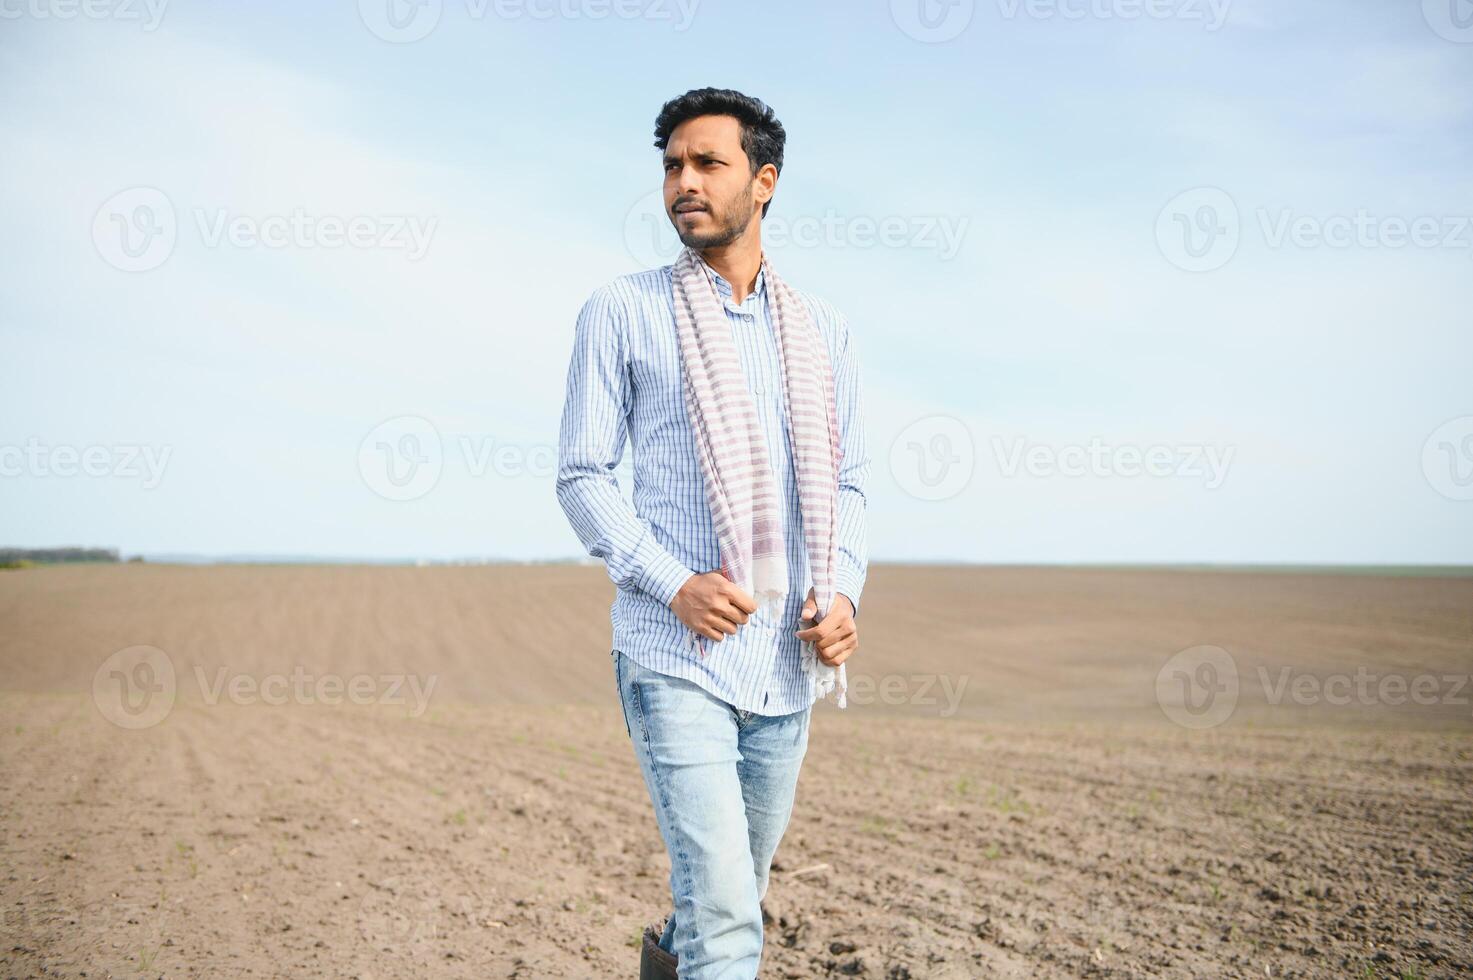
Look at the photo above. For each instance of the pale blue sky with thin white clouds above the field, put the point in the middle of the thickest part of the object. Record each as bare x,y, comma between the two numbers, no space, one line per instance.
1129,281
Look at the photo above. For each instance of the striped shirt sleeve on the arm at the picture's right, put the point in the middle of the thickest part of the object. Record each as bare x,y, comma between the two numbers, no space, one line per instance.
854,474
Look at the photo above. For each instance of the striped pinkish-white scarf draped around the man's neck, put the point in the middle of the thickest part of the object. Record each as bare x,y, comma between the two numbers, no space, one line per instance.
740,484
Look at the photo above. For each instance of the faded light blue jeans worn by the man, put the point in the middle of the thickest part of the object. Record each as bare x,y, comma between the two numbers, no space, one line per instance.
723,783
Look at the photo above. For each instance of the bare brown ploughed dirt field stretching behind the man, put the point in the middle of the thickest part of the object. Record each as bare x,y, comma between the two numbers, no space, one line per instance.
423,771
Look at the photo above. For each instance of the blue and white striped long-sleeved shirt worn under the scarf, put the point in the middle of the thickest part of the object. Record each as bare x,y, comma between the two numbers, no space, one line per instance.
625,381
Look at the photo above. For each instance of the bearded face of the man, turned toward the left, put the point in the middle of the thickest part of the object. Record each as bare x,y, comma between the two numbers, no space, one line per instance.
711,194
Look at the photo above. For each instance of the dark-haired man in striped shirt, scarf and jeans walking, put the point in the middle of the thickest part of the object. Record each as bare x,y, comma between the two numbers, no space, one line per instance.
748,522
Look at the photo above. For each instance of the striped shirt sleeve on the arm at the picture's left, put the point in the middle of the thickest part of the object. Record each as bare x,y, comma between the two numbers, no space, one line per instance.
591,443
